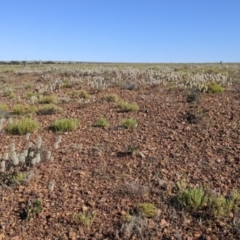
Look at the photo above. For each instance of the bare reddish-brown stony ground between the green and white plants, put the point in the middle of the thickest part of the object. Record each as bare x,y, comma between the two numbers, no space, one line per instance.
95,174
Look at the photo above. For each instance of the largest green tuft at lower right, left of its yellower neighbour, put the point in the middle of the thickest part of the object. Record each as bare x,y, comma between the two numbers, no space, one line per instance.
192,198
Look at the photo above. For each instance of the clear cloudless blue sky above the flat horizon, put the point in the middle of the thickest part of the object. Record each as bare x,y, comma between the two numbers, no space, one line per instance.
144,31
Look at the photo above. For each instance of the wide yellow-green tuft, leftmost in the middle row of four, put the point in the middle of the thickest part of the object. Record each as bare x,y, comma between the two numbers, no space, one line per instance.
22,127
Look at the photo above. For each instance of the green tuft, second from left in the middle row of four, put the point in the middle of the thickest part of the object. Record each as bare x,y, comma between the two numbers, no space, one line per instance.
65,124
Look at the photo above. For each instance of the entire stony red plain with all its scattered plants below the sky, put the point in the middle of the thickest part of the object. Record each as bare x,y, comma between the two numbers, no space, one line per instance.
131,176
